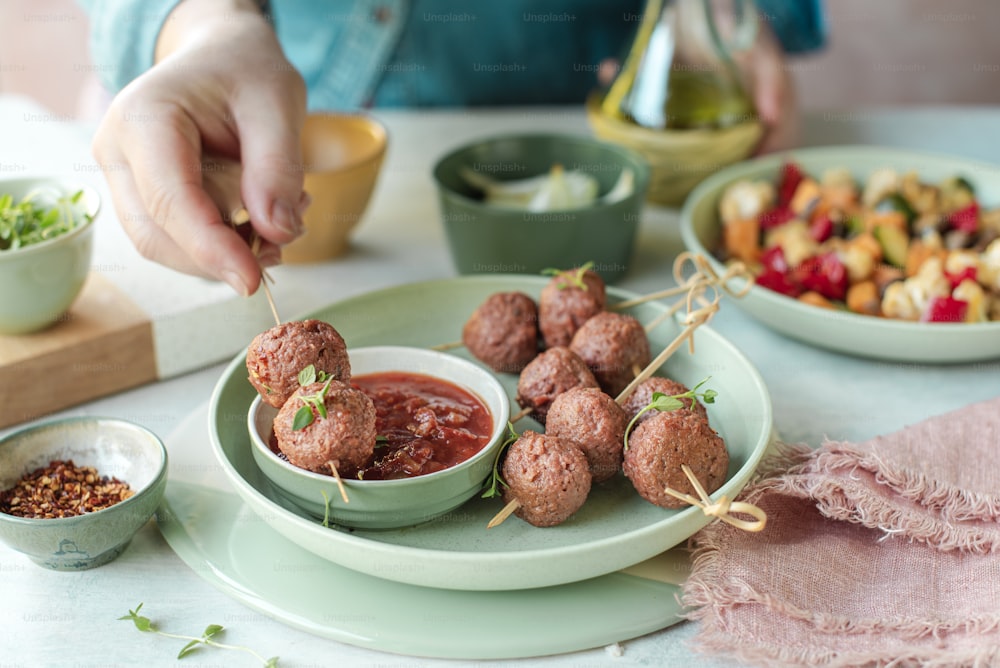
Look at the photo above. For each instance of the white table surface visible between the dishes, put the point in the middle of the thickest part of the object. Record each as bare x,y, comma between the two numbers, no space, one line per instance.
69,619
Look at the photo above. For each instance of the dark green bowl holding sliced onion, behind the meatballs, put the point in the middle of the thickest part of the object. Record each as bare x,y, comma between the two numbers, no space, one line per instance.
490,239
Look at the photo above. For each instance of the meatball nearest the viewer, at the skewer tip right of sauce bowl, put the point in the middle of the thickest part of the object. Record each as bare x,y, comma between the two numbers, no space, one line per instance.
549,478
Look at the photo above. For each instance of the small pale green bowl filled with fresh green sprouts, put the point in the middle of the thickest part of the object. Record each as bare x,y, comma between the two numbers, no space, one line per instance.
46,244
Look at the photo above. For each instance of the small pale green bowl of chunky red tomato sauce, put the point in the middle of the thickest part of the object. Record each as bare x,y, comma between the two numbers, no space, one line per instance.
440,422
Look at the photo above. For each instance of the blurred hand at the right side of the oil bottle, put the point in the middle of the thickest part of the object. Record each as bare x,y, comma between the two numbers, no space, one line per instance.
773,93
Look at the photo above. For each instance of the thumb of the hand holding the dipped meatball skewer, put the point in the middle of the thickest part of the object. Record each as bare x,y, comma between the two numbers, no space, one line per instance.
271,155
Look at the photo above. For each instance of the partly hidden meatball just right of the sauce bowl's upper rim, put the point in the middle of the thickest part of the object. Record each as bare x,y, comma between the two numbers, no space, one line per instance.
547,376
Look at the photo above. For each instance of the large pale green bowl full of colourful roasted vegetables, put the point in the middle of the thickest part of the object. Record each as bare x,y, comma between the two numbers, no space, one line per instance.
875,252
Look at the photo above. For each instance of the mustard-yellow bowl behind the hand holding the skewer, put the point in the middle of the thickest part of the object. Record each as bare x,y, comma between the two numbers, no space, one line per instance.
342,156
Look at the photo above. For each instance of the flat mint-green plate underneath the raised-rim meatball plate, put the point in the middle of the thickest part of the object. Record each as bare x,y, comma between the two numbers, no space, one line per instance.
223,540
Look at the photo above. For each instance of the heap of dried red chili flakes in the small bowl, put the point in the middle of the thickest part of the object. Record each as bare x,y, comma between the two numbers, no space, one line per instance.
62,489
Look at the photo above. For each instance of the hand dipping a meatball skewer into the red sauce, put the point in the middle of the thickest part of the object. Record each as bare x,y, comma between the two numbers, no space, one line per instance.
221,87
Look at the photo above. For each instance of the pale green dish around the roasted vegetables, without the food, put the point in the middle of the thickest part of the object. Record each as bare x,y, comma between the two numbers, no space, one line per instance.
842,331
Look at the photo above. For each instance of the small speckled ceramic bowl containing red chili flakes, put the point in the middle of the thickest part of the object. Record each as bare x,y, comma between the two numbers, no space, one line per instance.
74,492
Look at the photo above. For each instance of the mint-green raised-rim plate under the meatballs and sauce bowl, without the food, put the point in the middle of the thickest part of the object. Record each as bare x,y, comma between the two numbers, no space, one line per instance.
615,528
